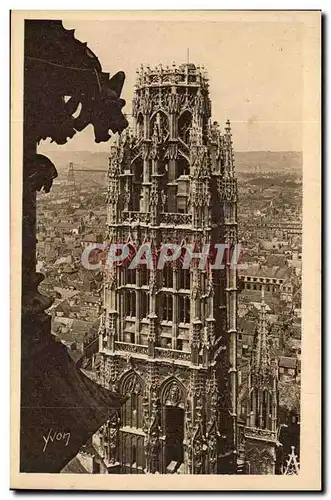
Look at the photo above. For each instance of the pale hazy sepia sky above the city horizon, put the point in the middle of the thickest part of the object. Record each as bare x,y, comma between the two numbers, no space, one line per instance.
255,72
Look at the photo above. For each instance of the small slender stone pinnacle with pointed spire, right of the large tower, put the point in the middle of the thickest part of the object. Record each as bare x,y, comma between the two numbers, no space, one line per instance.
260,433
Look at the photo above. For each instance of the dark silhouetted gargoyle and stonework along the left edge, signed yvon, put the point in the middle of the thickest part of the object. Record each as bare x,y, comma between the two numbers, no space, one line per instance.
62,77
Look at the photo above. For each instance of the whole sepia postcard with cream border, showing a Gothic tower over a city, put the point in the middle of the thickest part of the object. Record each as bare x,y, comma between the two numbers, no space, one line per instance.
162,216
